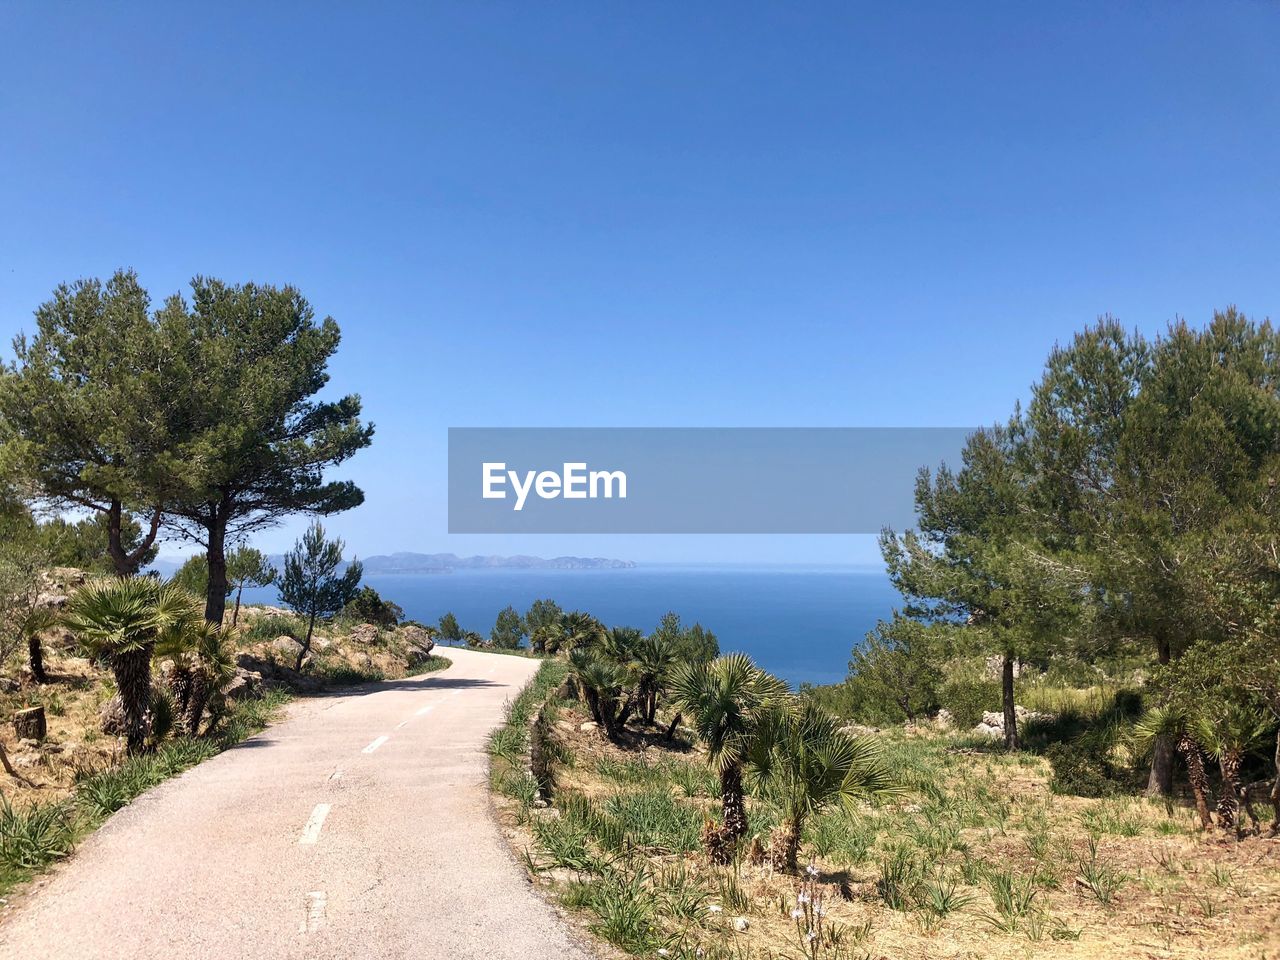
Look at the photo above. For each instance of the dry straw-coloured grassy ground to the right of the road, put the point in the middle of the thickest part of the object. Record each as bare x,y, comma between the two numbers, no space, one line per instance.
980,861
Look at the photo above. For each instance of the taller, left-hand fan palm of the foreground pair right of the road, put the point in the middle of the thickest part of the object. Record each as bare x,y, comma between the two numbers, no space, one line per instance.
726,702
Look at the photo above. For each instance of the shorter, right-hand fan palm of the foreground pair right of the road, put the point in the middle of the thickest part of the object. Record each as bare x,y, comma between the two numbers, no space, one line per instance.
803,760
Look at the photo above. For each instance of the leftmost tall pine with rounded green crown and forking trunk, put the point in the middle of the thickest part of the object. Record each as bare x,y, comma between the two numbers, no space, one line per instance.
94,412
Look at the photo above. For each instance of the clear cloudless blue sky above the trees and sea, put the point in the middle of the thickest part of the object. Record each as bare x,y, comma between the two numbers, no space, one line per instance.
652,214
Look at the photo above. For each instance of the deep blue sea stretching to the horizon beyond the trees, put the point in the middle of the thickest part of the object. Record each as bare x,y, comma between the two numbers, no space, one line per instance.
798,623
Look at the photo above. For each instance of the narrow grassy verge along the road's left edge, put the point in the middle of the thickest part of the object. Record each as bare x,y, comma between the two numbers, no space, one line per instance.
42,834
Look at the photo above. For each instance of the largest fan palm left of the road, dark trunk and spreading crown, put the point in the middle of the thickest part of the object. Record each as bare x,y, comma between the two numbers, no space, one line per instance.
120,621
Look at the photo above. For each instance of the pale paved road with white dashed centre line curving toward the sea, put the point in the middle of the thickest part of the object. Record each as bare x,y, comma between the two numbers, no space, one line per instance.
359,828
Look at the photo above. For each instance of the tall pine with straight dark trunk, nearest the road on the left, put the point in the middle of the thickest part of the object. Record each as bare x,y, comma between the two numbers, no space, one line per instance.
258,441
